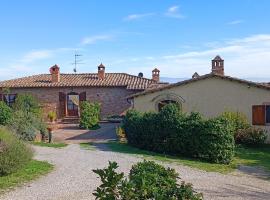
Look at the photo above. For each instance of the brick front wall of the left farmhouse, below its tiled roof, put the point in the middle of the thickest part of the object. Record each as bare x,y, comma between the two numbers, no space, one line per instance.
112,99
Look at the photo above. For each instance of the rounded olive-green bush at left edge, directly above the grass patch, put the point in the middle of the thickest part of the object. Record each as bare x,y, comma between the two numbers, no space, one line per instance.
14,154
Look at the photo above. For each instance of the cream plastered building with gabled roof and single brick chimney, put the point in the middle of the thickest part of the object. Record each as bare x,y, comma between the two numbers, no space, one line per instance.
211,94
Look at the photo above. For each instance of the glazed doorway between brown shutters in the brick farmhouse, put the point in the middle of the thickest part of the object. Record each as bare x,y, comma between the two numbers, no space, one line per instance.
73,102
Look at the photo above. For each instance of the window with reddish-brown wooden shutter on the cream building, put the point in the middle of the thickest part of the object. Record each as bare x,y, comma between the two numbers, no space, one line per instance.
261,114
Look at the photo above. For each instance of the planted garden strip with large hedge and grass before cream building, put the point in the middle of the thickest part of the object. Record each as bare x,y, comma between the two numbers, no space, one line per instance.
216,144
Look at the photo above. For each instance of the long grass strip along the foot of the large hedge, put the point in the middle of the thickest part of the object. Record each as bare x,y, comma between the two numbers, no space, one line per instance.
244,156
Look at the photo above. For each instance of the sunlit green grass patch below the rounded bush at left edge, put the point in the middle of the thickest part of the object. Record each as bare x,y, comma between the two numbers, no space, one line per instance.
31,171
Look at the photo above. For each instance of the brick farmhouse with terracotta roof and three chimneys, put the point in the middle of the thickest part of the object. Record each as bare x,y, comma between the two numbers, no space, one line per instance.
63,93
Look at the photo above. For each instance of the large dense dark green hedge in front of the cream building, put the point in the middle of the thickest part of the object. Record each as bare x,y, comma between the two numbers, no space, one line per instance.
175,133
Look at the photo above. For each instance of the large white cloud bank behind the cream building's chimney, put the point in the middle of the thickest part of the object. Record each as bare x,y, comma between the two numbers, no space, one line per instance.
244,57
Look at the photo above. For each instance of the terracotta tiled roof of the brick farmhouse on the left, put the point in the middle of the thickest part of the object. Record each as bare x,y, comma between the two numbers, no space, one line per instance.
78,80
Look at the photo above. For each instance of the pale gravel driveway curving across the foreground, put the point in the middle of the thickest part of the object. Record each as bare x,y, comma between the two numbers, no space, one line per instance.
73,178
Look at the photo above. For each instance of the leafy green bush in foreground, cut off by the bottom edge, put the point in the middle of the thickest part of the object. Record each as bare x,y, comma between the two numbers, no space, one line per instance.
147,180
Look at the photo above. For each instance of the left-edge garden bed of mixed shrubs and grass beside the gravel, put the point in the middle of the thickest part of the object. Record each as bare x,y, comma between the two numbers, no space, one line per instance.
19,124
